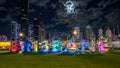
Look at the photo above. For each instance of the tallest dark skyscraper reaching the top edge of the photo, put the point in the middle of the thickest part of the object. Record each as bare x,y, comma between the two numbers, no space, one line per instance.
23,17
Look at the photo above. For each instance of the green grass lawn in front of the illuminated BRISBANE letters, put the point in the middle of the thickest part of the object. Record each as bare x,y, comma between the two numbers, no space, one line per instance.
108,60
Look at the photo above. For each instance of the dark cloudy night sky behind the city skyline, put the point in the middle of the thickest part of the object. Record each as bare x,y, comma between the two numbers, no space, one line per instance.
97,13
